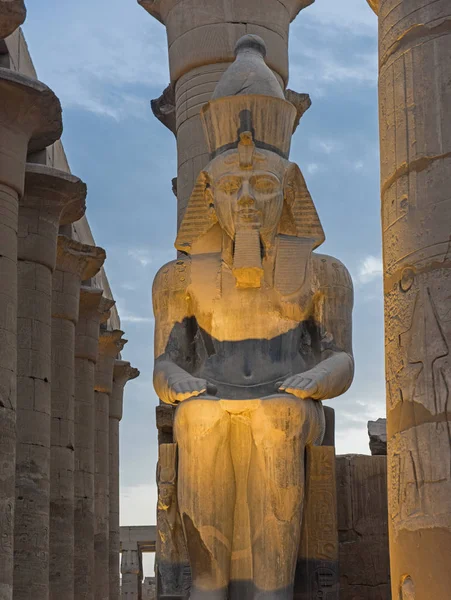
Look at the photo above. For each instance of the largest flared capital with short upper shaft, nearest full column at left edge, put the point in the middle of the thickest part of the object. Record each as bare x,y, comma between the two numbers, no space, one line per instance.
30,120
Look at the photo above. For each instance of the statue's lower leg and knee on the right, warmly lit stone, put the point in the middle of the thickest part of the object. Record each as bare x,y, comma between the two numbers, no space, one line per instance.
281,427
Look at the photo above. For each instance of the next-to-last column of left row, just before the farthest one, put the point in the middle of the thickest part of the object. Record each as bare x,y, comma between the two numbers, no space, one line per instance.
110,345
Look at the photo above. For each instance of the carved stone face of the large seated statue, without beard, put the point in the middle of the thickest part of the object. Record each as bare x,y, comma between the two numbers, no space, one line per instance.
248,198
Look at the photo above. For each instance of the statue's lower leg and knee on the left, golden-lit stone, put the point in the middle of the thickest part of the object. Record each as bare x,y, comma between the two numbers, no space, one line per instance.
206,494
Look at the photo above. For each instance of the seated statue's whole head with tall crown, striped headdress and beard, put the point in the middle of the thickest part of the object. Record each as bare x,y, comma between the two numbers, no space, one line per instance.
250,188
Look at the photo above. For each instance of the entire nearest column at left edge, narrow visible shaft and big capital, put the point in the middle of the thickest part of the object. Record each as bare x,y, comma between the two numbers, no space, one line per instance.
30,117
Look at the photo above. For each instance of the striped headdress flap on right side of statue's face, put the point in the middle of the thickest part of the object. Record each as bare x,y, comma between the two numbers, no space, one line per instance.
302,211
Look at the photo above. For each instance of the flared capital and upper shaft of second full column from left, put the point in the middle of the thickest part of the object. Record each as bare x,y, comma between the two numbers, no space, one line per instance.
47,193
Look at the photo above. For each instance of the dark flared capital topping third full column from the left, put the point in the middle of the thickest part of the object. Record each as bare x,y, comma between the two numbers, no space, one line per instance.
79,259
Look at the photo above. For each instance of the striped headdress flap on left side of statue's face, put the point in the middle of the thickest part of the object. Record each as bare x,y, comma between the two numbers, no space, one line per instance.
199,217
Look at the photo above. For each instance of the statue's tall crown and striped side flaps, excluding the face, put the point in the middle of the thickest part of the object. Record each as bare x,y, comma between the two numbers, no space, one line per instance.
249,111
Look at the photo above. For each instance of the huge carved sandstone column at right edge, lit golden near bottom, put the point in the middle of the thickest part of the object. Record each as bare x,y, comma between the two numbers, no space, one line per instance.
415,131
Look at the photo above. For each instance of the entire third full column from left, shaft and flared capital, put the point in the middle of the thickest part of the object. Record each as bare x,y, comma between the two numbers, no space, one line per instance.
75,263
